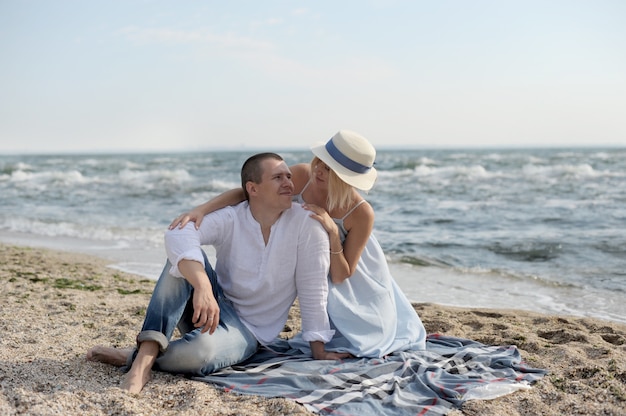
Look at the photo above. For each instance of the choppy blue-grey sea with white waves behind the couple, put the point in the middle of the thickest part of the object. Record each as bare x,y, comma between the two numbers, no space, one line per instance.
533,229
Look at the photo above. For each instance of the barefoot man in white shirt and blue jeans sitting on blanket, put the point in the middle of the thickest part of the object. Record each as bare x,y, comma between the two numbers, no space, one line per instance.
268,251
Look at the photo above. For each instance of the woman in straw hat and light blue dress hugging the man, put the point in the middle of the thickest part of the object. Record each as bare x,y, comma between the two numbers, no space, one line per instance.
366,307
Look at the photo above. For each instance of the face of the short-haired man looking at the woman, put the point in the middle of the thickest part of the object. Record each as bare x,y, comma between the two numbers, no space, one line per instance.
276,187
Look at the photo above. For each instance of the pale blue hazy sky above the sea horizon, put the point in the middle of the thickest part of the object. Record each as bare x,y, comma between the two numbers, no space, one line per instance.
143,75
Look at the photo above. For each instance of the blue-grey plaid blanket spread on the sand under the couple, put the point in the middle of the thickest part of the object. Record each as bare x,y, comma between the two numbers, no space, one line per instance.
429,382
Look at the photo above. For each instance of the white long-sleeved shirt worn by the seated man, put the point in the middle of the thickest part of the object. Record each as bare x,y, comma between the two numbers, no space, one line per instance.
261,280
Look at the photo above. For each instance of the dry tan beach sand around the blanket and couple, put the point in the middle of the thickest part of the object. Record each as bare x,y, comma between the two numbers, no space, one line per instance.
56,305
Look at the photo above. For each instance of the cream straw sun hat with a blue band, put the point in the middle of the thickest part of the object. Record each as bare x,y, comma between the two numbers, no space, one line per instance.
351,157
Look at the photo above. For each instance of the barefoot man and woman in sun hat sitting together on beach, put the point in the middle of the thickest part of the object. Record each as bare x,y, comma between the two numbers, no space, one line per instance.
270,250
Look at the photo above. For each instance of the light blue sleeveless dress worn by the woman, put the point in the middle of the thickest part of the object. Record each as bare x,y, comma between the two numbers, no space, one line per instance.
369,312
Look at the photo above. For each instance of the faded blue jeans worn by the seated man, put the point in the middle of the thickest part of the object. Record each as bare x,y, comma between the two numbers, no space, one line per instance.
195,353
